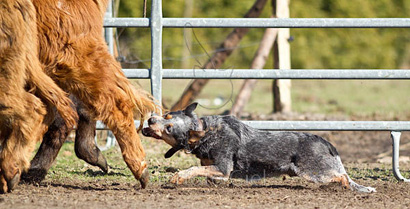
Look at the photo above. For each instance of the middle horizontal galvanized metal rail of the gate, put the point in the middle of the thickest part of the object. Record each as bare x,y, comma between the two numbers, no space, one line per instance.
272,74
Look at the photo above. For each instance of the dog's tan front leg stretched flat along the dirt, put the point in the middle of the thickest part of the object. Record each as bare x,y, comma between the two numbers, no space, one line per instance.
205,171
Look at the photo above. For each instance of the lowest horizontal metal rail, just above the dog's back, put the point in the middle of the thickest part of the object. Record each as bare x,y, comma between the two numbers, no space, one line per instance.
320,125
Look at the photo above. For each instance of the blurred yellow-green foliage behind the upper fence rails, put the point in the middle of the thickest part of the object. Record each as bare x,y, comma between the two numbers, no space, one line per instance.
311,48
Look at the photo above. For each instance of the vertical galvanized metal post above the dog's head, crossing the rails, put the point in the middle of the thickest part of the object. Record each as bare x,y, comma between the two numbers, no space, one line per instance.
156,50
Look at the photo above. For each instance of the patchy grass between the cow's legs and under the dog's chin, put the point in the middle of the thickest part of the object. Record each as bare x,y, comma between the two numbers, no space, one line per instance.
68,166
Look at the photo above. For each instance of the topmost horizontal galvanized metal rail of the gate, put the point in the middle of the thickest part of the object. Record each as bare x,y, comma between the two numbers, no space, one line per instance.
263,22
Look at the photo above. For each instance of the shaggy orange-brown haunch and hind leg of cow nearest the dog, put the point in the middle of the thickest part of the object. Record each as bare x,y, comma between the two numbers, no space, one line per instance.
75,55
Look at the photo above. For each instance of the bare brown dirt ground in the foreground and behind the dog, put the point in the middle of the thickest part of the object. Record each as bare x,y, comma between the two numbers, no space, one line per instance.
367,157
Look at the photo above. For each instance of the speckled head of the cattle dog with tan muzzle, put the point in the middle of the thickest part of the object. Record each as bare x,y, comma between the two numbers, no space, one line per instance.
180,129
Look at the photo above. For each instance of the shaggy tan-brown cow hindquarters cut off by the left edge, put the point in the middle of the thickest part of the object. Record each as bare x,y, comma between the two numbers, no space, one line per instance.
23,89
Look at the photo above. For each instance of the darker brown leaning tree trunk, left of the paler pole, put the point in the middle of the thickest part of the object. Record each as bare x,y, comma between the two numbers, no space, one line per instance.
224,50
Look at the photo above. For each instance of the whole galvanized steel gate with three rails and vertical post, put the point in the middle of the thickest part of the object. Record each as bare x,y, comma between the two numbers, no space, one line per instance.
156,73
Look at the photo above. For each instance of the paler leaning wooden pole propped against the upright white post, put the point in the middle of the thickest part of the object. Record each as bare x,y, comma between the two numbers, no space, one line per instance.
258,62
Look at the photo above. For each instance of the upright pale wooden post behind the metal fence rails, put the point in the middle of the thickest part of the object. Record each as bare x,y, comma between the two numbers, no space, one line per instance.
281,87
